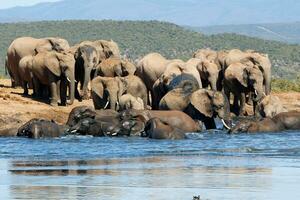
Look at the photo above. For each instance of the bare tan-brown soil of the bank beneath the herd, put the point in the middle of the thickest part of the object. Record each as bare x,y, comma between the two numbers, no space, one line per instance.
16,109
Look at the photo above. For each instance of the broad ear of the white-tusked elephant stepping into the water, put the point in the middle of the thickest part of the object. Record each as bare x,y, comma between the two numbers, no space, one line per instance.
201,100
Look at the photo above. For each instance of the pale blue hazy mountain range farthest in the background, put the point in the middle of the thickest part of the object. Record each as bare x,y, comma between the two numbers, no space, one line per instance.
183,12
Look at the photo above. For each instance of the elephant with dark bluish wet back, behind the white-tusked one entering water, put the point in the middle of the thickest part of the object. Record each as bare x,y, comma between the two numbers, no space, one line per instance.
160,88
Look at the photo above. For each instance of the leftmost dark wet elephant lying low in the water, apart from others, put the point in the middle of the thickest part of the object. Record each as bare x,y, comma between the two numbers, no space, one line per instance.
40,128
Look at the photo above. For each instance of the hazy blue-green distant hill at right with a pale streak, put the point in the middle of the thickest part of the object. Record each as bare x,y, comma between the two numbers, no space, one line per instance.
284,32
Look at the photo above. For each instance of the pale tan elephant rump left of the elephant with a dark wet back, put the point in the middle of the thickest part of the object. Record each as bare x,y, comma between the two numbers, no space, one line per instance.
150,68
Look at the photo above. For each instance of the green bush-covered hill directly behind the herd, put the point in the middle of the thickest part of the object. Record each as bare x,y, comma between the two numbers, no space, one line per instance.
138,38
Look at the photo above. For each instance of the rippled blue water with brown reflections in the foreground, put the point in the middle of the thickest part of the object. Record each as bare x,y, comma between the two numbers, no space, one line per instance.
213,165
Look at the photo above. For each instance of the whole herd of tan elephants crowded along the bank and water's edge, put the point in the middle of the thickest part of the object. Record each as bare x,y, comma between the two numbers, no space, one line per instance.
199,88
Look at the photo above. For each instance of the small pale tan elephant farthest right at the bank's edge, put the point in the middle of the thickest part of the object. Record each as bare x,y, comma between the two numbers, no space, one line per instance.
269,106
